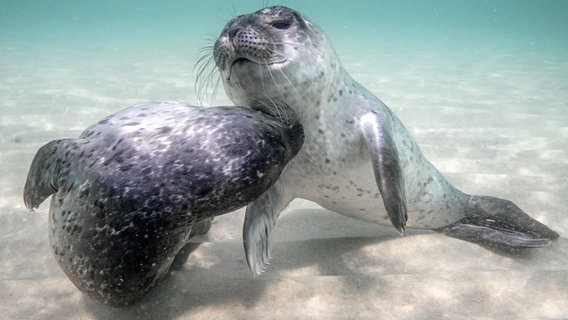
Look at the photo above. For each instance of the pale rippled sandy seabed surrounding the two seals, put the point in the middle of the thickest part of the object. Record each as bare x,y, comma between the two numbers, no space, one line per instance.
493,124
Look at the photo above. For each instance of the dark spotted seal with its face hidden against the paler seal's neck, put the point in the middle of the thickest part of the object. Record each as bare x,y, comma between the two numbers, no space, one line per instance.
128,191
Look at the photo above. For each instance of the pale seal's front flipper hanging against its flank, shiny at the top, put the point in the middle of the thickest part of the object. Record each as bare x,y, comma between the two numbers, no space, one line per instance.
377,132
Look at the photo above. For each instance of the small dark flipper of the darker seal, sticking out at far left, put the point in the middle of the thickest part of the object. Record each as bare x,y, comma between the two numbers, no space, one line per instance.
43,176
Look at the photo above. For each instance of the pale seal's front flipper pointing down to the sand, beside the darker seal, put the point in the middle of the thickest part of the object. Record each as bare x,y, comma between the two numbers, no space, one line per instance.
260,219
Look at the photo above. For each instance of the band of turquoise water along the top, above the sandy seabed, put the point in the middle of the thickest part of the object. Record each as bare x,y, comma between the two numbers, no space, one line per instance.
518,26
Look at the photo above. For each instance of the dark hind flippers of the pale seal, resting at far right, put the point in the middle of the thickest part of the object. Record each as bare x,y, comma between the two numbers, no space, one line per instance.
500,223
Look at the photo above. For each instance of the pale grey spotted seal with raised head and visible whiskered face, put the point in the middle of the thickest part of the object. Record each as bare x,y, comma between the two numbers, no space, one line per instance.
358,159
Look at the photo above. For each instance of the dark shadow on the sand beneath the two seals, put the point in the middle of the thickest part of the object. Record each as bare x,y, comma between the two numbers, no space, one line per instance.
209,274
